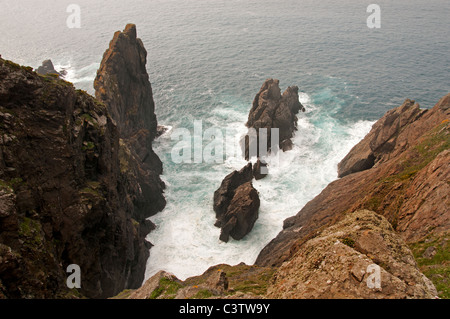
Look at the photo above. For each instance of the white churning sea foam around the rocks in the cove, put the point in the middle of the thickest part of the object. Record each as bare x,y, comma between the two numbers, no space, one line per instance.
186,242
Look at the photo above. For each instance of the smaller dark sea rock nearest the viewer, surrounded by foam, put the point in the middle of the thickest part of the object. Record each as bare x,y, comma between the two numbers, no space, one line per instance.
236,203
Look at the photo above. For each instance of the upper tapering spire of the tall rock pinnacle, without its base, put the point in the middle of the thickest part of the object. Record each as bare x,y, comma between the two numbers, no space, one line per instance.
122,83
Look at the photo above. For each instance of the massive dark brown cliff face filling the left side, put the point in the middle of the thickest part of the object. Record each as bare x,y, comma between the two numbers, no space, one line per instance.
68,191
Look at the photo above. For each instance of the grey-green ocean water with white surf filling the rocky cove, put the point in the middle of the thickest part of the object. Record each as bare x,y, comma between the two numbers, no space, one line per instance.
207,59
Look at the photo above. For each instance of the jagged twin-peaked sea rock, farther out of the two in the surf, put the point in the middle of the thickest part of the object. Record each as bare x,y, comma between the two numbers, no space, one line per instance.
271,109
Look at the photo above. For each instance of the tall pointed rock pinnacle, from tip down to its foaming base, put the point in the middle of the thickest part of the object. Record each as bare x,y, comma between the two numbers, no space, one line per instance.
123,85
